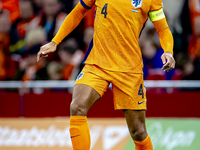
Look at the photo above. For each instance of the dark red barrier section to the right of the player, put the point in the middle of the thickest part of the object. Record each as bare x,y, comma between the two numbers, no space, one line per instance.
183,104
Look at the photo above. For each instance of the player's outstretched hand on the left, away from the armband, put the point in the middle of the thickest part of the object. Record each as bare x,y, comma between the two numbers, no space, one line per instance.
45,49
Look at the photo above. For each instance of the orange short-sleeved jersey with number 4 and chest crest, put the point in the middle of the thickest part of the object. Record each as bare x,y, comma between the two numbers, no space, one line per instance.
118,24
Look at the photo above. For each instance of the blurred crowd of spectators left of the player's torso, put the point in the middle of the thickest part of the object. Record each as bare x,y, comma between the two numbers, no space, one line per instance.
25,25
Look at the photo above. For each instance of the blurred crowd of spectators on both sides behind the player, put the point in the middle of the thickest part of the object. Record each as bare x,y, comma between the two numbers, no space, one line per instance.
25,25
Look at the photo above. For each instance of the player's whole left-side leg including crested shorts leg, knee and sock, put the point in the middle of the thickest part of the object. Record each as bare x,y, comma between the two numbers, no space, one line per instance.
88,89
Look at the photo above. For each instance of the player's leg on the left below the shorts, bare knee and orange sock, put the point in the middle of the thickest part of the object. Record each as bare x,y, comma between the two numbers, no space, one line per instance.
83,98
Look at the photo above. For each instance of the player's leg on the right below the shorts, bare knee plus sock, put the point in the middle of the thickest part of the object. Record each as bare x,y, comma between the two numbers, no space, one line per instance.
136,123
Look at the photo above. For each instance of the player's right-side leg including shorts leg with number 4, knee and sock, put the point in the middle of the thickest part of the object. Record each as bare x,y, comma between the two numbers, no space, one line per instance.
130,96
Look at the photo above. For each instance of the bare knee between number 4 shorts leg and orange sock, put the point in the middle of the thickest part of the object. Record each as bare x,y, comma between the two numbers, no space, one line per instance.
136,123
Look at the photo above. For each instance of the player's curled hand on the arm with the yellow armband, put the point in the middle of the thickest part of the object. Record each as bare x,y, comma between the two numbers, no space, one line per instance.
168,61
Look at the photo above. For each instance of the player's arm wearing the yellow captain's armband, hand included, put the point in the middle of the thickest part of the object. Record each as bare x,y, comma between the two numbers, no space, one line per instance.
166,38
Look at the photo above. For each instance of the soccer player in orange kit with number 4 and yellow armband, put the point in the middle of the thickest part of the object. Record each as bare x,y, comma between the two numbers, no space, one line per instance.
114,56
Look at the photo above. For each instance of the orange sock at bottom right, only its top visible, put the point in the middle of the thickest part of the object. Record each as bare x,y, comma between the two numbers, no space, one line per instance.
146,144
